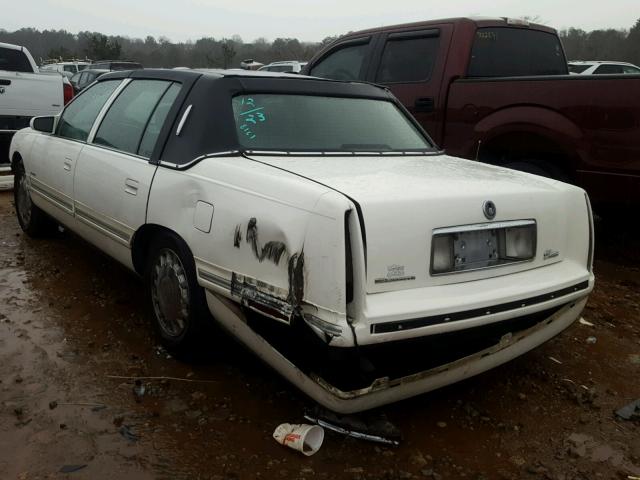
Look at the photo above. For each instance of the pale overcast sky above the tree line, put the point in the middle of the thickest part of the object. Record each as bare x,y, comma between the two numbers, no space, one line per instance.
307,20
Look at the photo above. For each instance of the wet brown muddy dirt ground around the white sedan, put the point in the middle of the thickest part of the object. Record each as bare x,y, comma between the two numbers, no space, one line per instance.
70,319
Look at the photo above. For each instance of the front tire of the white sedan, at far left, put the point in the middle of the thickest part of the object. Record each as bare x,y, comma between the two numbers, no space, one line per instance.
33,220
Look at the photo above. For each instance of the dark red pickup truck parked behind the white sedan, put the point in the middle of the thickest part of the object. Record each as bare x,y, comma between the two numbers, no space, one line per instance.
499,91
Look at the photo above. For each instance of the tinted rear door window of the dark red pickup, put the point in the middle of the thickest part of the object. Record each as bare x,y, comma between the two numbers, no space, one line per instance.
408,58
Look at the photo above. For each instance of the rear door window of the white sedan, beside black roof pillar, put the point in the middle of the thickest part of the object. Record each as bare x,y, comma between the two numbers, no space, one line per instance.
124,124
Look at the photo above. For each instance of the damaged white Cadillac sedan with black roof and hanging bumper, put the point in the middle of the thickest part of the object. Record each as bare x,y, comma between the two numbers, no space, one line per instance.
315,221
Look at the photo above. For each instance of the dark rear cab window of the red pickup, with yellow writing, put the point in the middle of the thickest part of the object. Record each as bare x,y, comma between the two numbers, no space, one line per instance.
513,52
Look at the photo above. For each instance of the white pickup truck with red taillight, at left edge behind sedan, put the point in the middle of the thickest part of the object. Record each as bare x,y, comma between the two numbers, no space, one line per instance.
24,93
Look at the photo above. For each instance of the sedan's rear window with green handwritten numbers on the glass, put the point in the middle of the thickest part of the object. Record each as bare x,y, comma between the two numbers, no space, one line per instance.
319,123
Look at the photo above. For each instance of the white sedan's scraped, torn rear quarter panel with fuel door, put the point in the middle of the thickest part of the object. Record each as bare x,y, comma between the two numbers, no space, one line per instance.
274,235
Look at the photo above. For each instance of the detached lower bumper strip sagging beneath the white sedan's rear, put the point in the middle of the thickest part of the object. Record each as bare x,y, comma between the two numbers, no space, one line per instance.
385,390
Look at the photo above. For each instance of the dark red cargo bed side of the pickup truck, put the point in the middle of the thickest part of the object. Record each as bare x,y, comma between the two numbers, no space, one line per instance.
583,128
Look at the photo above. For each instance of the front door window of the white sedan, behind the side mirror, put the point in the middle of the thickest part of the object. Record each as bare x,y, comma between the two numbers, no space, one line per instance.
77,119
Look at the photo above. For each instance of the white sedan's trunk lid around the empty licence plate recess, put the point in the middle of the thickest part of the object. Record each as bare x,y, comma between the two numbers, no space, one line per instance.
404,199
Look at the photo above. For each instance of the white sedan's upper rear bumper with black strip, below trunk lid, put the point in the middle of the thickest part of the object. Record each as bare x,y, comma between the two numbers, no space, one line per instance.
411,313
